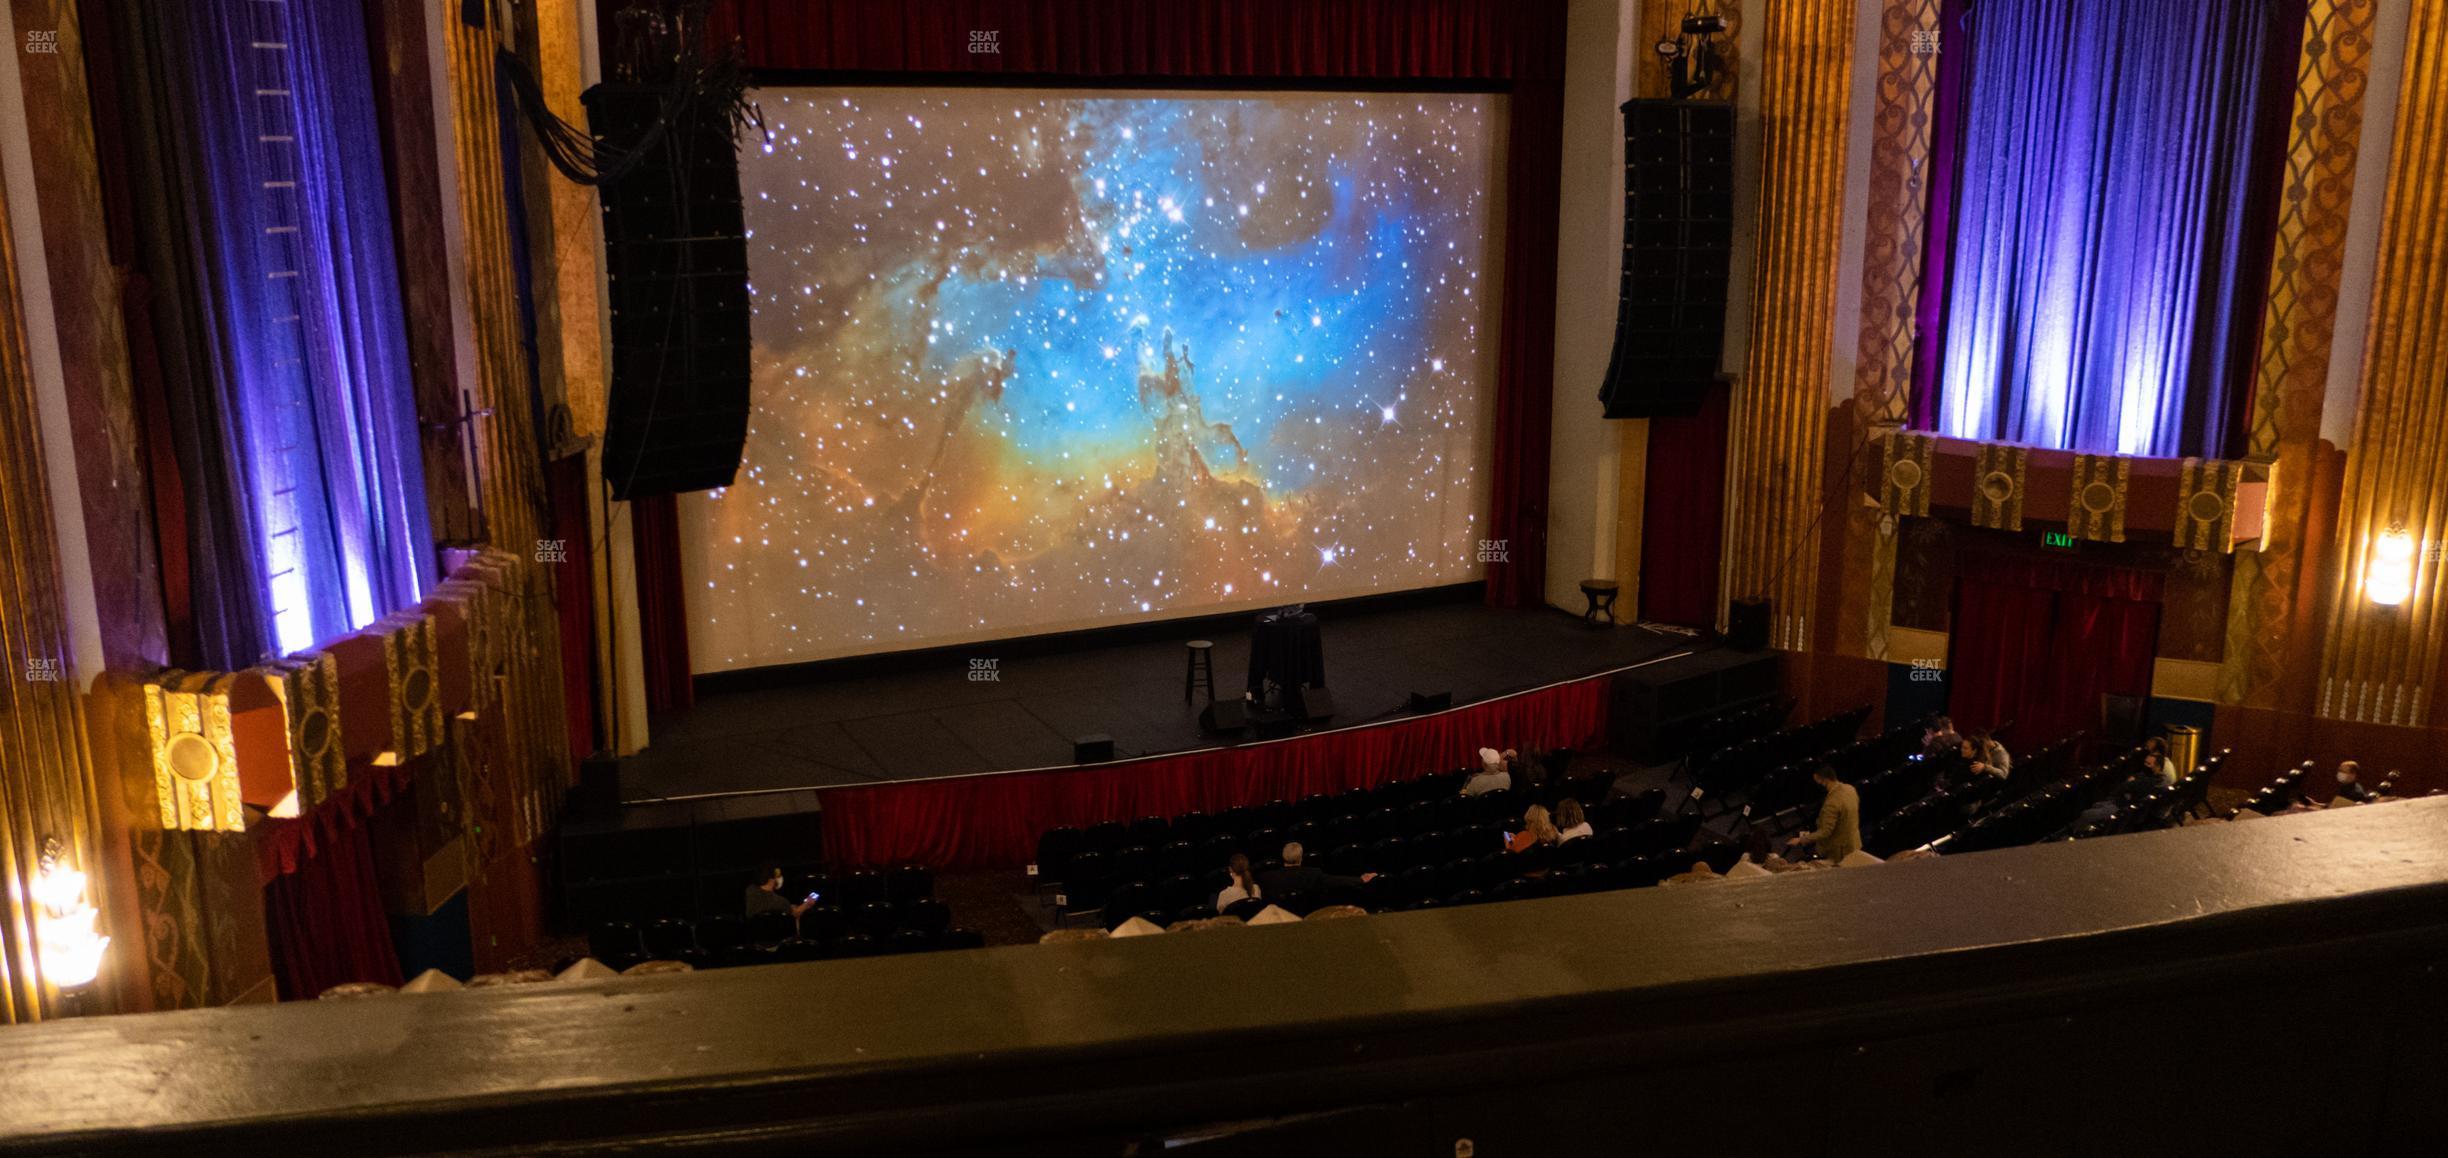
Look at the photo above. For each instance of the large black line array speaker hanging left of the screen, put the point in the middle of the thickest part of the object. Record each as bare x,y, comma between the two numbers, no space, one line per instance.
677,261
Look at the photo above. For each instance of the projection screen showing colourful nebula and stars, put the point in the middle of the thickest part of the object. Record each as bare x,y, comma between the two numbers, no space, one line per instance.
1037,361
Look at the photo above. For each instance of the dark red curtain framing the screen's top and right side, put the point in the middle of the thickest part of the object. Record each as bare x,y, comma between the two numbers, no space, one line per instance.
1517,45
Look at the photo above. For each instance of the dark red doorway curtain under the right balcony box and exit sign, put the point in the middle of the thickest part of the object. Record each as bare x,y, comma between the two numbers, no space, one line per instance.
2043,643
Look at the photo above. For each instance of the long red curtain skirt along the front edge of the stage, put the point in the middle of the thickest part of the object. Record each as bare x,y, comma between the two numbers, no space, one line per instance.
995,821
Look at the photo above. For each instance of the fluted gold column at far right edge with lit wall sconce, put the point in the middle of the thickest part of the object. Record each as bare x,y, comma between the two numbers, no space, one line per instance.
2383,665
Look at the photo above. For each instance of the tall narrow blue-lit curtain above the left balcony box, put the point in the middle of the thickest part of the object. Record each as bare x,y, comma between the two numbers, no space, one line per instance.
300,310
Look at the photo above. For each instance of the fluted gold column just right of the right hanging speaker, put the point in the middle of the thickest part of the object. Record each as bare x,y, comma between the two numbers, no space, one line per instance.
1778,442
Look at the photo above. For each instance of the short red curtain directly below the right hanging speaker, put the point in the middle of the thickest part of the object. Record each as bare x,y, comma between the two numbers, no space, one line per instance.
1683,515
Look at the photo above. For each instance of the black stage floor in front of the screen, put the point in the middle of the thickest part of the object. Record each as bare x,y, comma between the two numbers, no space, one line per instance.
939,723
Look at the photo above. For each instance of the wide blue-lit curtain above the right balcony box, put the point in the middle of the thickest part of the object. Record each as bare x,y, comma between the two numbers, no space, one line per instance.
2102,248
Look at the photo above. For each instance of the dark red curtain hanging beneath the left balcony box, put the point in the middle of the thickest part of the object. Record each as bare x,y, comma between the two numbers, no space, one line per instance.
327,922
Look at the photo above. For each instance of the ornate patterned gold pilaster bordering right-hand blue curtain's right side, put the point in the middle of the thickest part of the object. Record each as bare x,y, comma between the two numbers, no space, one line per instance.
2300,324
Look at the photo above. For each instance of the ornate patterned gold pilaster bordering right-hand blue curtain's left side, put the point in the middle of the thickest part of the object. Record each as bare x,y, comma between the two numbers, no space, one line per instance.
1891,290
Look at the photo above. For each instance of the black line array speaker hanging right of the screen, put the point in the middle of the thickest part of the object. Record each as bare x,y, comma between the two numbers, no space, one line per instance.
1678,244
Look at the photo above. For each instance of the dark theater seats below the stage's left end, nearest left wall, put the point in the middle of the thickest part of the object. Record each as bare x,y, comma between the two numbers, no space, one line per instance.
858,914
